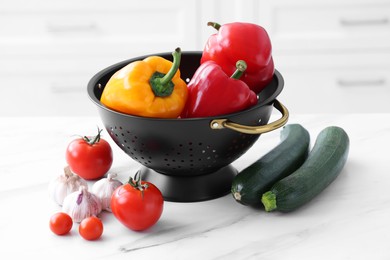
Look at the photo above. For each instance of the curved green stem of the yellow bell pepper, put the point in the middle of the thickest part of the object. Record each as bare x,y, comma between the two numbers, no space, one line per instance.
162,85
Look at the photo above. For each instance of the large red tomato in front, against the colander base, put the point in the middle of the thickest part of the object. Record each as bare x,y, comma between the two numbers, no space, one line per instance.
137,204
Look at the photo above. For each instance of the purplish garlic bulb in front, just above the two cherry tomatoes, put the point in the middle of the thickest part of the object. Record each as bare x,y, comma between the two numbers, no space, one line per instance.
81,204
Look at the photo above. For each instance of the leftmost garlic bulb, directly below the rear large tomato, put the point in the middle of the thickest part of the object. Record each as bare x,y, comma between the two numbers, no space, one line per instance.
65,184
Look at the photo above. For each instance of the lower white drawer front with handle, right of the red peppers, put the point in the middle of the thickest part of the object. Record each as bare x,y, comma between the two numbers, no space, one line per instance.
336,83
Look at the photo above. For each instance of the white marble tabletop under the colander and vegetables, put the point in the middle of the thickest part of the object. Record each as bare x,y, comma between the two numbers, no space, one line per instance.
349,220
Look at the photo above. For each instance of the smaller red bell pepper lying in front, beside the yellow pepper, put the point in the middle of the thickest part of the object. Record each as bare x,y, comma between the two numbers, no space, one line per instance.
212,93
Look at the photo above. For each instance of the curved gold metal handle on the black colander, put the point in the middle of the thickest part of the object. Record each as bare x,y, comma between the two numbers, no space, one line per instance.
224,123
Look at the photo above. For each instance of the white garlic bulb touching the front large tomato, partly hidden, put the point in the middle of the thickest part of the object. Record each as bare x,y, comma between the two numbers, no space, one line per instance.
104,189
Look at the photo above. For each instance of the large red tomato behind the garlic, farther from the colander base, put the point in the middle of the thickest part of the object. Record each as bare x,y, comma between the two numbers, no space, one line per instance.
89,157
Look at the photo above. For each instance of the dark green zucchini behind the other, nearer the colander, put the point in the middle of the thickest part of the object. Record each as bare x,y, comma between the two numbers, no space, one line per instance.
285,158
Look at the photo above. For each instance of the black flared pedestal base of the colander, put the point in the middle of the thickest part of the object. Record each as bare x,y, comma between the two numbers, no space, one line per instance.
191,188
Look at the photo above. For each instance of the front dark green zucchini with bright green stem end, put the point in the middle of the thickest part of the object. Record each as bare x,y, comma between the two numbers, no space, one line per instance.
324,164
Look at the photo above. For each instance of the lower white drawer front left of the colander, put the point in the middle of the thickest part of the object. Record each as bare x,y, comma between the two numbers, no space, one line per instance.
48,86
